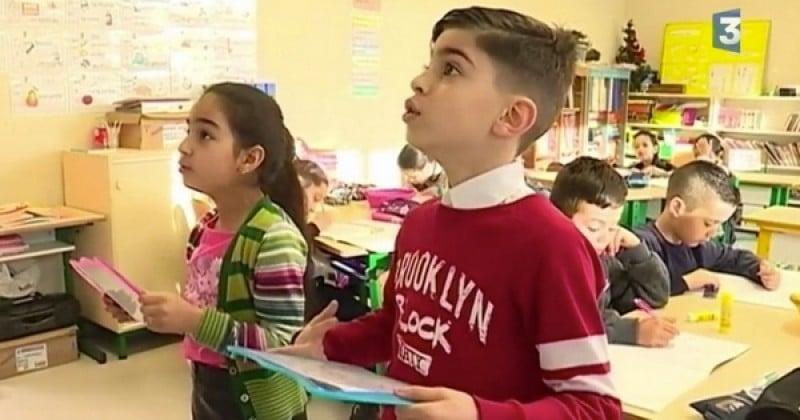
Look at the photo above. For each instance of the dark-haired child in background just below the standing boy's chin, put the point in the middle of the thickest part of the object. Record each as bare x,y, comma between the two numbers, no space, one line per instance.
421,173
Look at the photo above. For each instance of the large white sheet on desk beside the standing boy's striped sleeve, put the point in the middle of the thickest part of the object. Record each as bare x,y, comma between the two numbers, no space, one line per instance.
651,378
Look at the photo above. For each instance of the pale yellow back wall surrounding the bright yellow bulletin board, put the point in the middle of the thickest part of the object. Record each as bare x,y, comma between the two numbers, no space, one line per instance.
783,59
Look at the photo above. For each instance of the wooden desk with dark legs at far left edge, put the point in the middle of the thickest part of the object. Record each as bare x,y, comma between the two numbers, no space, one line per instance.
64,222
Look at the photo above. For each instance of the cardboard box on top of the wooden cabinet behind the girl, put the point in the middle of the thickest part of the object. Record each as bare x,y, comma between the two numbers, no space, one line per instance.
154,131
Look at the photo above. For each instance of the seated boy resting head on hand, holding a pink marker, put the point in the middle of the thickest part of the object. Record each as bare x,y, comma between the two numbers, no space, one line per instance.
591,193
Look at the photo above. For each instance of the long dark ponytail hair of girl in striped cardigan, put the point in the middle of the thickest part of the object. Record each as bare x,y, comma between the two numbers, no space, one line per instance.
255,119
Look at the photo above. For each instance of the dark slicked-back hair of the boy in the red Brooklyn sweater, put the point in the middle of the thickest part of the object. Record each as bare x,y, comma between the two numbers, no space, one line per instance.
531,57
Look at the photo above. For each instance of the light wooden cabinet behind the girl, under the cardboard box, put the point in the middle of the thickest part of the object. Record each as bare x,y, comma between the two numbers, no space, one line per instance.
147,219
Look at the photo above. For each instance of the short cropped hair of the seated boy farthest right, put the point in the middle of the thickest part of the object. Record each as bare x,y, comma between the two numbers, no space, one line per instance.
697,180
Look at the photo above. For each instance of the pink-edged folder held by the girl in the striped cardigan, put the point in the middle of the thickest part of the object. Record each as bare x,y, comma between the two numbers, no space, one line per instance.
109,282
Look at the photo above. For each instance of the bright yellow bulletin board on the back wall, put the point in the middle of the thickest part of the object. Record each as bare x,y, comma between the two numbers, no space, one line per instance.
688,58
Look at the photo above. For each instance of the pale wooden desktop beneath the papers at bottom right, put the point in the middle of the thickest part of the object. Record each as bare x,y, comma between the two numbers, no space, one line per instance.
774,338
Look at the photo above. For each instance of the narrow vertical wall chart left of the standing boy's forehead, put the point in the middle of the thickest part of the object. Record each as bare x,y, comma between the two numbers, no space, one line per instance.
366,49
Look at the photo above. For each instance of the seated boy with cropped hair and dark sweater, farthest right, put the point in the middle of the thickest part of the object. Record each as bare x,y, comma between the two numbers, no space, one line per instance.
700,197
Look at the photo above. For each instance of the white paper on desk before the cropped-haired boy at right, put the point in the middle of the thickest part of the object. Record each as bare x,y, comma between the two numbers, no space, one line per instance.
746,291
